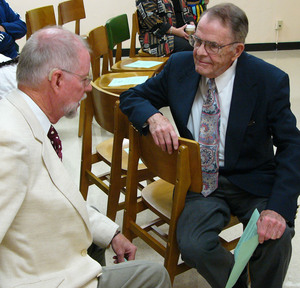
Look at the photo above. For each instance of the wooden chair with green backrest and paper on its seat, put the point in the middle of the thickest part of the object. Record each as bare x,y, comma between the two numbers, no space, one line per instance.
118,32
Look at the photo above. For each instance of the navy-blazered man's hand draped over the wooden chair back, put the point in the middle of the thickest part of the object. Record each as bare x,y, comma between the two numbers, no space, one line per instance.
163,133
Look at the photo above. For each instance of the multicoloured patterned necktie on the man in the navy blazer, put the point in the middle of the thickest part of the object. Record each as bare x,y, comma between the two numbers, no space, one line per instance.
209,138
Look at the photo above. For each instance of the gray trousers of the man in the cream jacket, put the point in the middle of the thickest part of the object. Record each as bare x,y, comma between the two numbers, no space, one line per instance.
134,274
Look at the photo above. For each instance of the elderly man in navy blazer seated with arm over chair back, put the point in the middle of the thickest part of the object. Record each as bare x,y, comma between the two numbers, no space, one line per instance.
255,116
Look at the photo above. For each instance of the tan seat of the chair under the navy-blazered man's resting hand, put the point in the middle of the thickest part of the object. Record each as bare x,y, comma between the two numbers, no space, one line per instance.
158,196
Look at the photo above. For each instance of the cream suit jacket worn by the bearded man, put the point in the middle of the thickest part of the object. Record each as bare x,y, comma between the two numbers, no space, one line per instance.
45,225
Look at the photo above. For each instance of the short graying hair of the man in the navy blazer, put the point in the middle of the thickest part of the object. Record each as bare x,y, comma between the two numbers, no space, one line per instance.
232,16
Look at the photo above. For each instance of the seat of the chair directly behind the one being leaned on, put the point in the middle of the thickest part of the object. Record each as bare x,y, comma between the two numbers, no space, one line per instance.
105,150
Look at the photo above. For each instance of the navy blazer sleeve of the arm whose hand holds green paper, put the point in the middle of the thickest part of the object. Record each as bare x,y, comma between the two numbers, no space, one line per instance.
286,138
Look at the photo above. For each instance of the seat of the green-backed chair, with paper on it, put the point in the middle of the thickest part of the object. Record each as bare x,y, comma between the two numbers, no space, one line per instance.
121,65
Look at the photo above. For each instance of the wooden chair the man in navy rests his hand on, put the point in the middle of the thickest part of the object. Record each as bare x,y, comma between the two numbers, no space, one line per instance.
178,172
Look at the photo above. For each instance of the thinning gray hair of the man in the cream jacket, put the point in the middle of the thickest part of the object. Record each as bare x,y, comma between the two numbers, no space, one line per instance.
48,48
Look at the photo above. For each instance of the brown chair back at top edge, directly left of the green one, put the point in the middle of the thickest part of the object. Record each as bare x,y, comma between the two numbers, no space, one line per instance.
69,11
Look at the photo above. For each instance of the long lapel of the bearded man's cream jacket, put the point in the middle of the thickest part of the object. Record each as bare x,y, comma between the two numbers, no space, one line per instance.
57,172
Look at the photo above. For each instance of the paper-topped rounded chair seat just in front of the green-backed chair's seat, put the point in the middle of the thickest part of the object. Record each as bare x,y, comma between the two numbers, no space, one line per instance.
105,80
